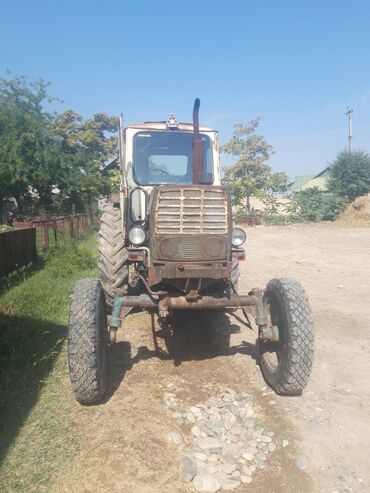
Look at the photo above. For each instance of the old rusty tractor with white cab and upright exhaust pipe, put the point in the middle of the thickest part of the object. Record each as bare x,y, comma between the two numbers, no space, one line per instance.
167,242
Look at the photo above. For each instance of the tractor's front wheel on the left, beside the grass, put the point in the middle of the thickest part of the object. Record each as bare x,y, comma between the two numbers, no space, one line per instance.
87,342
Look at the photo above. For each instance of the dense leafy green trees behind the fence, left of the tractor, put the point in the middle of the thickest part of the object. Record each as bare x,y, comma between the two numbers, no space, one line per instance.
46,158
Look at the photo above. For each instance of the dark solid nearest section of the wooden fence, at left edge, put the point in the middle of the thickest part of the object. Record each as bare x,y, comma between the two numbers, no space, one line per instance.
17,249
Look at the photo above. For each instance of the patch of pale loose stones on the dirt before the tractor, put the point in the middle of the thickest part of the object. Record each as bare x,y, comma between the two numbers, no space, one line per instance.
225,444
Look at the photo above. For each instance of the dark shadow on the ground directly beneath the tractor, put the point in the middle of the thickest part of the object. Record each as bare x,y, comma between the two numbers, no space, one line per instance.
189,336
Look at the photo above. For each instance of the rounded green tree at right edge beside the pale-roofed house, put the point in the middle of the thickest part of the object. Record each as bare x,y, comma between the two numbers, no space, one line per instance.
350,174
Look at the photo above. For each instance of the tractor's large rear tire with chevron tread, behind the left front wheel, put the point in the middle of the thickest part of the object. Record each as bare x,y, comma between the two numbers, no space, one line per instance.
113,264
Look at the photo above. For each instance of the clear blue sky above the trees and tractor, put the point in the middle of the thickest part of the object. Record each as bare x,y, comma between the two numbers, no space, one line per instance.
296,64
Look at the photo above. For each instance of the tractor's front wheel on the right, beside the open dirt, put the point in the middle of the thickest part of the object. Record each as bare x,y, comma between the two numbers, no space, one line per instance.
286,363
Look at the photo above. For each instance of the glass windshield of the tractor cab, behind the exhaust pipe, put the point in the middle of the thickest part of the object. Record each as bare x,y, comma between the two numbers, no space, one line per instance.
167,157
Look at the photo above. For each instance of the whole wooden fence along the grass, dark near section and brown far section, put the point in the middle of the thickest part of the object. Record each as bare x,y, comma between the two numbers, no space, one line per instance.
19,247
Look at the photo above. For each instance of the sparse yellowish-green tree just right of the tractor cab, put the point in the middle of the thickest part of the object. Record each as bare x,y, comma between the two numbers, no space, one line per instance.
250,175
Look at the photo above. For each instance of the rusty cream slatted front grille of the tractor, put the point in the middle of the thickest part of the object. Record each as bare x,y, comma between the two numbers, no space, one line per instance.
191,211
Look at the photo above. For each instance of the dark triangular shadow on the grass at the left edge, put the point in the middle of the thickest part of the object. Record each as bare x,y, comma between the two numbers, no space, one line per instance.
28,349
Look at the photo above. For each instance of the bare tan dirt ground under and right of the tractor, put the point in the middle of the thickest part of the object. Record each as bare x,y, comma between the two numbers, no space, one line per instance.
328,428
